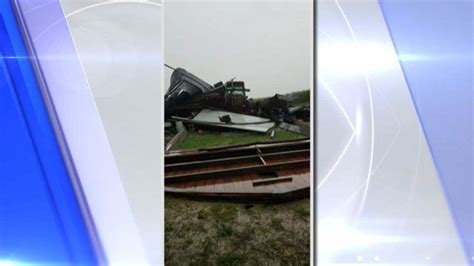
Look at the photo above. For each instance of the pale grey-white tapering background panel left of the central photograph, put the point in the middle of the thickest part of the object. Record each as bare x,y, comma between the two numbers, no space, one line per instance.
120,47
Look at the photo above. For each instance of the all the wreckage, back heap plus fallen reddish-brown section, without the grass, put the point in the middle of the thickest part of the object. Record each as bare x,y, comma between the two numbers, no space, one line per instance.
266,171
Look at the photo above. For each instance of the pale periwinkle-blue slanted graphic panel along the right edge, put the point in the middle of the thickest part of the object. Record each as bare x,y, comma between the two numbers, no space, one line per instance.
434,41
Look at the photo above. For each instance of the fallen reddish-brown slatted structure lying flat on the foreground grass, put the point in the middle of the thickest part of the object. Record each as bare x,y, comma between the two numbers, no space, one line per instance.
260,172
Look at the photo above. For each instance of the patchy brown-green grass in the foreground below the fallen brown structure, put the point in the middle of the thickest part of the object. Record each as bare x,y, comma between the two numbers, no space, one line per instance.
206,233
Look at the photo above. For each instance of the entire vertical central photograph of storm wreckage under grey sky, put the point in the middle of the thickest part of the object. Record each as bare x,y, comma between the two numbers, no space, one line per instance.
237,132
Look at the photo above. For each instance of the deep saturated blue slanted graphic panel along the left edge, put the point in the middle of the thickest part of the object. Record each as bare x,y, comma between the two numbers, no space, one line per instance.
40,220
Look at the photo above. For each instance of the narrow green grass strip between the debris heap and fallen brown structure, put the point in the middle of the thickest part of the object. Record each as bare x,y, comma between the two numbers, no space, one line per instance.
211,138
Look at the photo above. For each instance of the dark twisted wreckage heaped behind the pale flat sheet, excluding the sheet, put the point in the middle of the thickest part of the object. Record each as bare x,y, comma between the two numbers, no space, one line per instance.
188,94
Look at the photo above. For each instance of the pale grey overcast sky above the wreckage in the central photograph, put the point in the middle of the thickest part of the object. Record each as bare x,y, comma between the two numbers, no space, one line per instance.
267,44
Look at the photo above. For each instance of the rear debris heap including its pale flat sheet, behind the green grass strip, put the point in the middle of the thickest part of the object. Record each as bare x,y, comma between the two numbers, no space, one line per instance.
193,101
